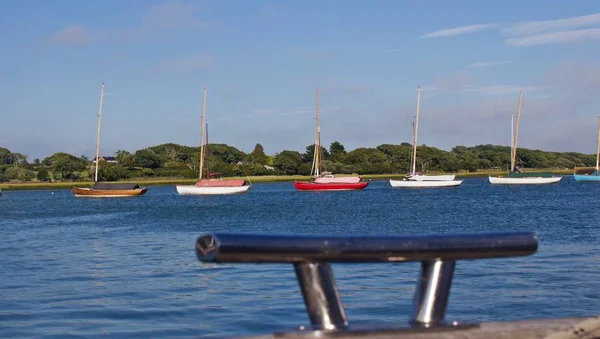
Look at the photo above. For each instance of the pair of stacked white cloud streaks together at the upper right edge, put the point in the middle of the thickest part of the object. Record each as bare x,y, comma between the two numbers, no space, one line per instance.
567,30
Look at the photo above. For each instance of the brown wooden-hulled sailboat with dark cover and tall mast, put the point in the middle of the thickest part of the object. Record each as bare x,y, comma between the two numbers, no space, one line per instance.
107,189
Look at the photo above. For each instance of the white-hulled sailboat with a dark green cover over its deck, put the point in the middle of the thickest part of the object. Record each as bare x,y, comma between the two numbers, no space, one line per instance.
516,176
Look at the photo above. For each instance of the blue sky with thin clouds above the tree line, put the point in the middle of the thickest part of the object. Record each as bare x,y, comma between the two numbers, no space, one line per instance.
262,61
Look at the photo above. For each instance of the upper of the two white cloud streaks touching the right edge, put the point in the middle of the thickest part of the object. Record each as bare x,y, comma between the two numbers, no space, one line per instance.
535,27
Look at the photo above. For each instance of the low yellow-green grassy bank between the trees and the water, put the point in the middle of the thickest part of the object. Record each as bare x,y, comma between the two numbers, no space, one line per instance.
254,179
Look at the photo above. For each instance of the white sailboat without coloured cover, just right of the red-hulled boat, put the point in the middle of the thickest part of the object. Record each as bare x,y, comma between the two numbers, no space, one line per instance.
415,179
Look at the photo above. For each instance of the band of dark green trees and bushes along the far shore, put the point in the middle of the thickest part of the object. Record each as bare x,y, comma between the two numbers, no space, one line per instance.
170,161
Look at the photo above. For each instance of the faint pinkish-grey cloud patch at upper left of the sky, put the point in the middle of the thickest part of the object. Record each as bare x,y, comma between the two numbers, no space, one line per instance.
173,15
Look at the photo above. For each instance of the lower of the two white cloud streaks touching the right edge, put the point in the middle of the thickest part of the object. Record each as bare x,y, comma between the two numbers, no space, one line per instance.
555,37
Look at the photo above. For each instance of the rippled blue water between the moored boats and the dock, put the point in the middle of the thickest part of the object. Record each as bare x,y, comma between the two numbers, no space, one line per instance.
127,268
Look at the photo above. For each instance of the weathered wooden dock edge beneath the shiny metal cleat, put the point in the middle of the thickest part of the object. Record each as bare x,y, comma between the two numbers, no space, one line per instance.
565,328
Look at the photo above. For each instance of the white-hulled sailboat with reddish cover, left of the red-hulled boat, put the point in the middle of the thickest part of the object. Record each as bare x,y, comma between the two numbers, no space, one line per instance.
214,184
